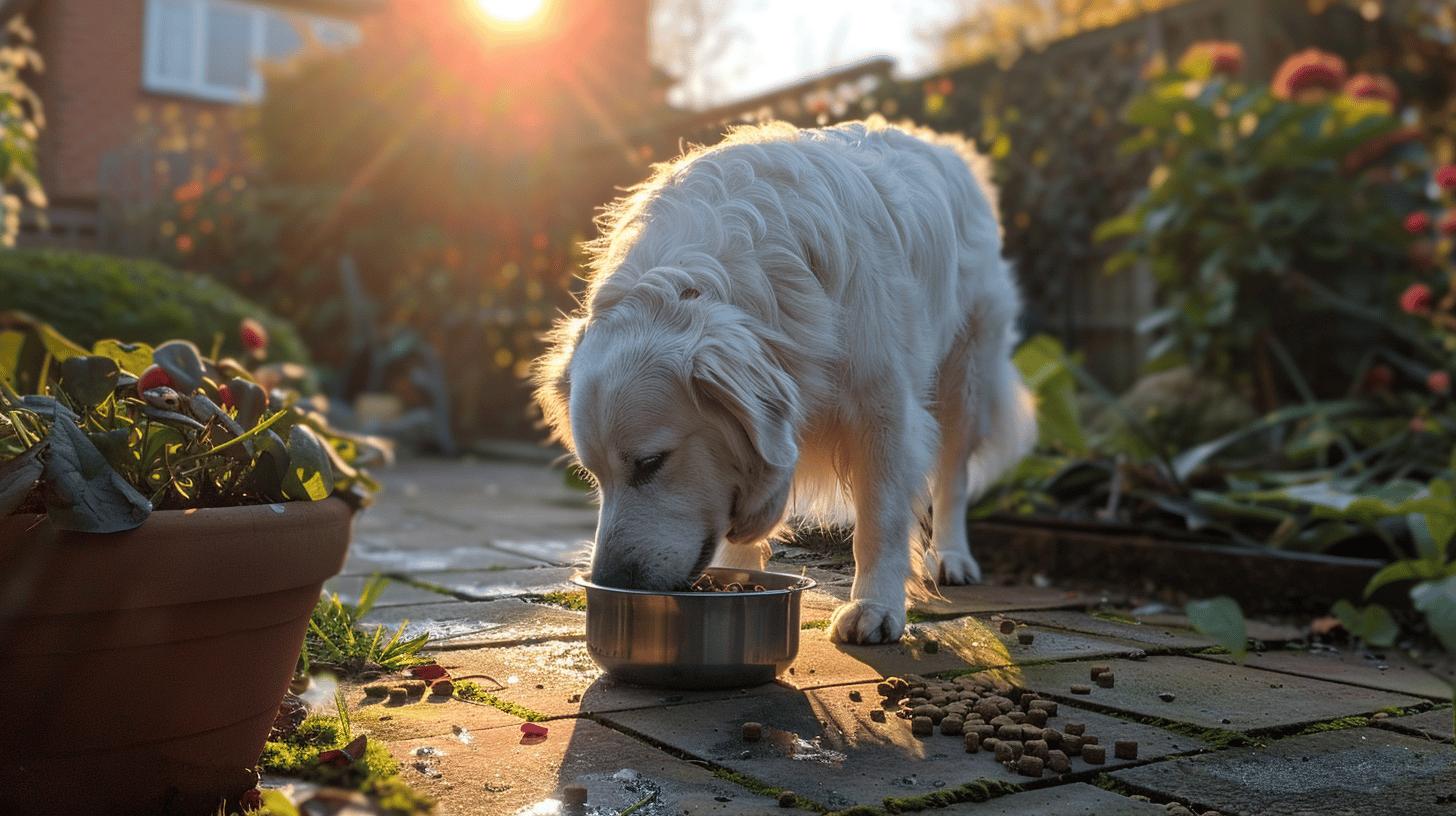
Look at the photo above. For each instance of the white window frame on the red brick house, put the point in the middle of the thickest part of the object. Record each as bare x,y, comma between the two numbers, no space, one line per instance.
197,85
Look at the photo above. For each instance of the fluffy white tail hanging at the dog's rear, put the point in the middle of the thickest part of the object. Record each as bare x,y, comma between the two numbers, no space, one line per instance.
1008,425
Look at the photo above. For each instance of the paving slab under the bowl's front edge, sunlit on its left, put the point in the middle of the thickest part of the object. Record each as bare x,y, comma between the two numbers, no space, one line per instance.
570,683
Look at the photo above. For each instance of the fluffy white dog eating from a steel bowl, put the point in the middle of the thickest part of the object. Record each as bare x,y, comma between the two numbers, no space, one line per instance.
809,314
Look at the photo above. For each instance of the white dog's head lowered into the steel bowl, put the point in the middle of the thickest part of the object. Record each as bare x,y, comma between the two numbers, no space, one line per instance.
684,419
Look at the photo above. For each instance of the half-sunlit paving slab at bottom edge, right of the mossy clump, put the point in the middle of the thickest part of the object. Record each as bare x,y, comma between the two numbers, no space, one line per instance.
503,773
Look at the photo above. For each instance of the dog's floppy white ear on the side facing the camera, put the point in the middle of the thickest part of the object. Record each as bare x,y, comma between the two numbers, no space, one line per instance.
735,369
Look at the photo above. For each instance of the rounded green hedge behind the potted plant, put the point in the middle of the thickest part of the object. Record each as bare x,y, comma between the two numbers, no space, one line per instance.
90,298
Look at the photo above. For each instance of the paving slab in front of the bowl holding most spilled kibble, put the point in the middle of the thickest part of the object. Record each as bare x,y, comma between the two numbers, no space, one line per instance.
825,747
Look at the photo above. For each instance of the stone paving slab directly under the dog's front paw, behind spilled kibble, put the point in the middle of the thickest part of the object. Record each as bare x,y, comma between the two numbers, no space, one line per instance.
963,643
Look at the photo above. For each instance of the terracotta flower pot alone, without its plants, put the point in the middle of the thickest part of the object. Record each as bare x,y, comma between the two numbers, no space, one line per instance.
142,671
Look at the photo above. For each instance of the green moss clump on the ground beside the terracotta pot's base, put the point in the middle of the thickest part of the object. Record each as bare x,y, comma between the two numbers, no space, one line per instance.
376,774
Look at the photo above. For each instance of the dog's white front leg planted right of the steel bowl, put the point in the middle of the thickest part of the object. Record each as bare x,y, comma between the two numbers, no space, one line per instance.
887,470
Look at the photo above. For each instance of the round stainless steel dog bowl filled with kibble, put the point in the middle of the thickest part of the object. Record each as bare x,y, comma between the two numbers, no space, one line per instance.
697,639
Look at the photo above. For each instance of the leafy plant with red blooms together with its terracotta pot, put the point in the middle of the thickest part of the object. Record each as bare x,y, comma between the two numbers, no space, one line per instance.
167,524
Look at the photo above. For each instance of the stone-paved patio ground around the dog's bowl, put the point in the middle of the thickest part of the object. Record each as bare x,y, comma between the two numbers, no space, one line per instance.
481,553
